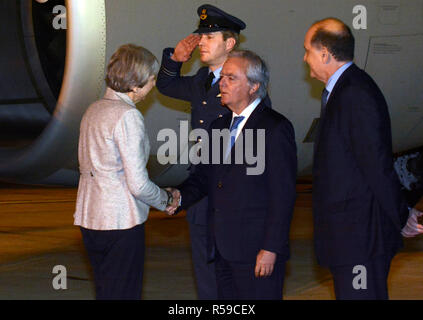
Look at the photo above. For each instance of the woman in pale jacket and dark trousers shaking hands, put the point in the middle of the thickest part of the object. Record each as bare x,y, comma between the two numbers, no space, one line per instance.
115,192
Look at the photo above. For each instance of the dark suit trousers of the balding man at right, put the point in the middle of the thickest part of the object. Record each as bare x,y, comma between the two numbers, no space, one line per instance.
372,275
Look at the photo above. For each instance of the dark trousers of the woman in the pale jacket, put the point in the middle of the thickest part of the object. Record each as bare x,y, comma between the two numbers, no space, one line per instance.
117,259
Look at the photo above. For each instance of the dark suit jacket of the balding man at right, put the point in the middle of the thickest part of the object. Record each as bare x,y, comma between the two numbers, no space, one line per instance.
358,207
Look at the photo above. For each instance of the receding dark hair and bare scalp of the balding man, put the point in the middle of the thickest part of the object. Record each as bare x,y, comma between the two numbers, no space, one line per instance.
339,40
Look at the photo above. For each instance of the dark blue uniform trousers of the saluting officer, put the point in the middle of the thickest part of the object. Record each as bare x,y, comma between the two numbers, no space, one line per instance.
205,272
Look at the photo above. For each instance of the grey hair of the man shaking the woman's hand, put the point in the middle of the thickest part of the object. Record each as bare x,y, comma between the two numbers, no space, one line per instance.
257,71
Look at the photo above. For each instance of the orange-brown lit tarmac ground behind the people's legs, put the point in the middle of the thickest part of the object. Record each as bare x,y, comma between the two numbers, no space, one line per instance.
37,235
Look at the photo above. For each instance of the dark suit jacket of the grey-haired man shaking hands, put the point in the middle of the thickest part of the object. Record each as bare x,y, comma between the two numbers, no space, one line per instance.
248,213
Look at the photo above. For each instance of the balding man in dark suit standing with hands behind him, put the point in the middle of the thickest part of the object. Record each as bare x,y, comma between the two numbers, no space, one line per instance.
358,208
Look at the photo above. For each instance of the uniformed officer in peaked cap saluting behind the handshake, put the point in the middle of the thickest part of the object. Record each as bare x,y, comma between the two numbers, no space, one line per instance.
217,35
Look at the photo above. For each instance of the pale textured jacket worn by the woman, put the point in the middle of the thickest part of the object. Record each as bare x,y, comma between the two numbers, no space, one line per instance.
114,189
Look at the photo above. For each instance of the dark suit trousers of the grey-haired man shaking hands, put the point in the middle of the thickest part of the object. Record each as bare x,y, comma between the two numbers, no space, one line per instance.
237,281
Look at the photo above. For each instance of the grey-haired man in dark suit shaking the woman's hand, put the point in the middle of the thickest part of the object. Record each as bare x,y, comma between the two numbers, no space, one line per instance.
249,213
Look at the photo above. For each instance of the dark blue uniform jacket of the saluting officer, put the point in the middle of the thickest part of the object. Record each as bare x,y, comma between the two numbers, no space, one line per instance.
205,107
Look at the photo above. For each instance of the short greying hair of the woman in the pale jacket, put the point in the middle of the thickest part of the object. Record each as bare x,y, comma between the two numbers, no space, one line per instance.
130,66
